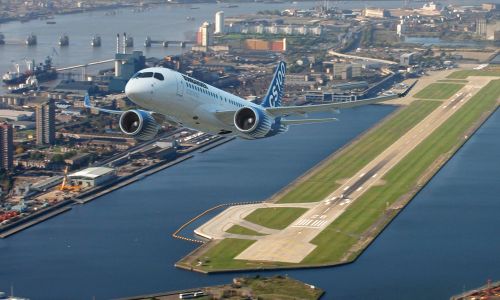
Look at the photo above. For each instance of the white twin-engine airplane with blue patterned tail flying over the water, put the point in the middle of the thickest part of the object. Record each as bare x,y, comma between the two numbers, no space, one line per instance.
182,100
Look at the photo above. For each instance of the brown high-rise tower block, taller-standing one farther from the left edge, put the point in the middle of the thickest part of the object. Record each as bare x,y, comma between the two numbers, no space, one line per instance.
45,123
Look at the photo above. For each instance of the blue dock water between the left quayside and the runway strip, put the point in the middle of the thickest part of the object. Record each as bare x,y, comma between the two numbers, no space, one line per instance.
120,244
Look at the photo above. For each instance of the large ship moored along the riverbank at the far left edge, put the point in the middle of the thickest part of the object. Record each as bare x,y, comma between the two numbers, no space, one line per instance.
43,72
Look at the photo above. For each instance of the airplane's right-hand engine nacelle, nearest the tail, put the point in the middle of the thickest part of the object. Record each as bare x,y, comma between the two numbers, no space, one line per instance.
253,122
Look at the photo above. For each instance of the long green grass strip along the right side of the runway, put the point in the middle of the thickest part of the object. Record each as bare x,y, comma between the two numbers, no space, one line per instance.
343,233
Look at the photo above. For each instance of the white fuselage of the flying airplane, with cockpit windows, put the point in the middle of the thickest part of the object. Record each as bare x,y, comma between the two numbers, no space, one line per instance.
183,99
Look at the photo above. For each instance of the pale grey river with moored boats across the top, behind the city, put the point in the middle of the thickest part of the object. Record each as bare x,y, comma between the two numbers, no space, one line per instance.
165,22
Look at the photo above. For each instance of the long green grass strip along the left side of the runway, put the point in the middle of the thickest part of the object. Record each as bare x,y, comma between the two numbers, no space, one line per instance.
354,157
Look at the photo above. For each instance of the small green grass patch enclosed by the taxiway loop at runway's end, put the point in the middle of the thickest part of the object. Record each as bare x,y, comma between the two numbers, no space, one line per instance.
275,217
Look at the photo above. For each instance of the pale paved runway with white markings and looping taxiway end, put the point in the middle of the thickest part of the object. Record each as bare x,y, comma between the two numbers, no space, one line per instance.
293,244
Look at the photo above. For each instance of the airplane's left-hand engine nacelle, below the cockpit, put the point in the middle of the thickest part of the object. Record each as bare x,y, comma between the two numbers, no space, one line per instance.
139,124
